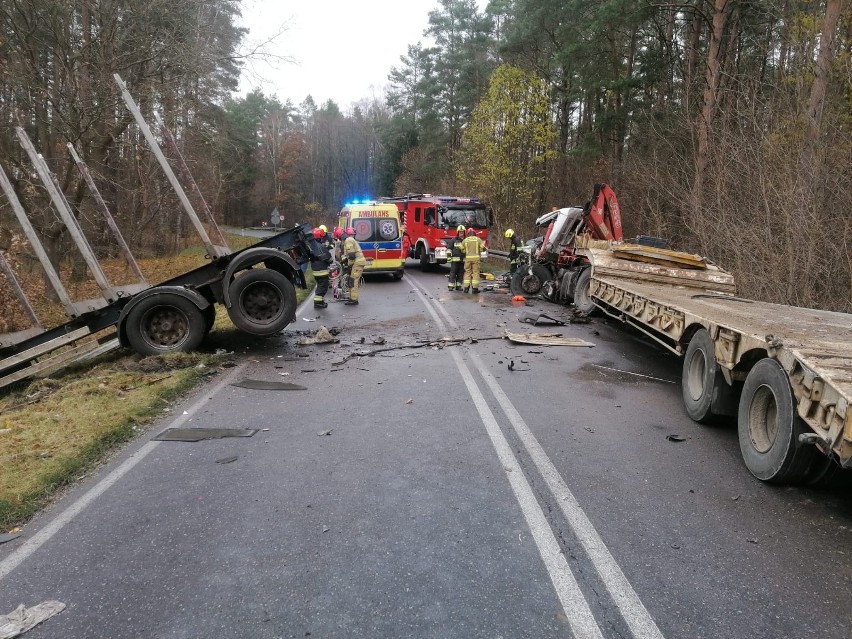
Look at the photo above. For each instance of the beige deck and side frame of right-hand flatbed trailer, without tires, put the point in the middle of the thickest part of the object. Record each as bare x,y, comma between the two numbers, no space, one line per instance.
813,346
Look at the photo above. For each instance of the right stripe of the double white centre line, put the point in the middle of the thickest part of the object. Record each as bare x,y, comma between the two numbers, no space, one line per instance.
631,607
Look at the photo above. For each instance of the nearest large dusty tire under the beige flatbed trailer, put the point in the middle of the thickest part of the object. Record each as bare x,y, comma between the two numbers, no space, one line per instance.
769,427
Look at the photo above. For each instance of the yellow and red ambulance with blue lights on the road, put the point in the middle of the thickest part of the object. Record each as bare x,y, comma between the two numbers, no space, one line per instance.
379,232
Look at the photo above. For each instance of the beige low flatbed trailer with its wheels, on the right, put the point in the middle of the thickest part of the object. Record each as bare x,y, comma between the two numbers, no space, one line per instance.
784,371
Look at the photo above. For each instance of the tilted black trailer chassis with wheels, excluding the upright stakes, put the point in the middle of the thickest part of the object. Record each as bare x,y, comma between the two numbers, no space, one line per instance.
256,285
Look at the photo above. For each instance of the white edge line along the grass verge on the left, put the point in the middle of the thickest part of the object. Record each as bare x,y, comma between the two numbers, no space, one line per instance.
40,538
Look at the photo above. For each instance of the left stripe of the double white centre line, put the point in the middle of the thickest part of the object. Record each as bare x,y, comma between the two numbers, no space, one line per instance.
574,604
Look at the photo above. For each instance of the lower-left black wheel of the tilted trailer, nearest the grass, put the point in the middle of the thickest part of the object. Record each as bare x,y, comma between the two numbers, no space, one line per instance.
165,323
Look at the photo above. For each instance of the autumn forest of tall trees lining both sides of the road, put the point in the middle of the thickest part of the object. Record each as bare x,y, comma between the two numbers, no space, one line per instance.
724,126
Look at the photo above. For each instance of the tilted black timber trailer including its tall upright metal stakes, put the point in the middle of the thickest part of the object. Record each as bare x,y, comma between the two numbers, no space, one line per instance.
256,284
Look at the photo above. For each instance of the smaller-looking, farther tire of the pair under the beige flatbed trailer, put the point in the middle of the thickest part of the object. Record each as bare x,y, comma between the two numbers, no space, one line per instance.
700,378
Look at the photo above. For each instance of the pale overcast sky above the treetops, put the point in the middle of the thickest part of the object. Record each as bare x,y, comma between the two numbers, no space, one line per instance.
342,50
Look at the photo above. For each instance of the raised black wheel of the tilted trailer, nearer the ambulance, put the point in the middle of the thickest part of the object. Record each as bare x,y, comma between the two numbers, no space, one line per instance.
263,301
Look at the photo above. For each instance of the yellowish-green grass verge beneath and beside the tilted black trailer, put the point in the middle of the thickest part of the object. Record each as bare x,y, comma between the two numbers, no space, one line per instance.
55,430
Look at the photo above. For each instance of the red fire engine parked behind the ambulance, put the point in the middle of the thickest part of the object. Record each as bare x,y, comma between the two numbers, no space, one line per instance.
431,220
